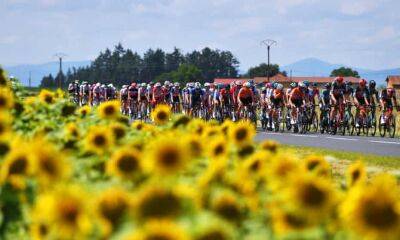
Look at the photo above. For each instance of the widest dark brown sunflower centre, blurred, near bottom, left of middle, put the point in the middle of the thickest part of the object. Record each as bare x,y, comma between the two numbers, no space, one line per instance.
158,202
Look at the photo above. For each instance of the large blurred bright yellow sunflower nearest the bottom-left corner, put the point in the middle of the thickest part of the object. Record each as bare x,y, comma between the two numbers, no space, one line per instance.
65,208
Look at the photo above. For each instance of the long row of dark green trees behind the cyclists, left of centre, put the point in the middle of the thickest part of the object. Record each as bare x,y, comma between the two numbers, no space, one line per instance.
122,66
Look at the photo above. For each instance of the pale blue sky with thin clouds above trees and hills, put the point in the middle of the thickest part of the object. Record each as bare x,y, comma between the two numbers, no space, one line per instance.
362,33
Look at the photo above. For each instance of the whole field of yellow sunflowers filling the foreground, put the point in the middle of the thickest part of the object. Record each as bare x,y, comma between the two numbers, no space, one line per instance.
83,173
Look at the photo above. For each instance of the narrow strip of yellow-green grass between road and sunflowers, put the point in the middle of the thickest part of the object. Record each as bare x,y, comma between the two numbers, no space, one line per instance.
380,163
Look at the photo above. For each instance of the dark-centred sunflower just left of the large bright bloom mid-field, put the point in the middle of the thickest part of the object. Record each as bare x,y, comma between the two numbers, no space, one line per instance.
125,163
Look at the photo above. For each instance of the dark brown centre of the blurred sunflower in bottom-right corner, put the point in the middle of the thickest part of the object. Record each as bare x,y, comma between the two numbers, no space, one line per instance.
380,216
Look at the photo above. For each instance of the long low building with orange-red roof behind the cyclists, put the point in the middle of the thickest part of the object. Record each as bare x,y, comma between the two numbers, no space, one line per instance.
279,78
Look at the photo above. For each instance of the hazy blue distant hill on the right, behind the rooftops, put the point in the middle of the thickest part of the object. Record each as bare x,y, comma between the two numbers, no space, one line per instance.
316,67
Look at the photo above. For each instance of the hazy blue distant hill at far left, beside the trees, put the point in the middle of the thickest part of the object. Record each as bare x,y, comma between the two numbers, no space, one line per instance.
39,70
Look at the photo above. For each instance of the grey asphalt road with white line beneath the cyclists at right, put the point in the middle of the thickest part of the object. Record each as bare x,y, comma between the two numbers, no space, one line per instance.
362,144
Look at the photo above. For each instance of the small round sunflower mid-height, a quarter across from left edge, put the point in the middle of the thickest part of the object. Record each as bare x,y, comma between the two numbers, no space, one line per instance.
98,140
